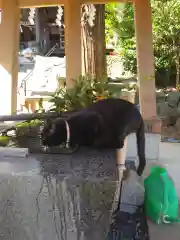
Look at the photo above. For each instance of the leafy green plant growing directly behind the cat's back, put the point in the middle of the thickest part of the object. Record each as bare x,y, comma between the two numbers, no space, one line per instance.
86,90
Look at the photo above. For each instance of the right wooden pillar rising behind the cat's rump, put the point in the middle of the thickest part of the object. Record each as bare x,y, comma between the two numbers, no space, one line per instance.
145,62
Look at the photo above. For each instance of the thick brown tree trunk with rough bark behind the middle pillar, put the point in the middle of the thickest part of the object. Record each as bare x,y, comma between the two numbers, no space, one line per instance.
93,44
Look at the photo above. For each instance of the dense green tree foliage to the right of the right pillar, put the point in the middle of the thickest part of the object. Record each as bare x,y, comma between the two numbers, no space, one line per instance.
166,32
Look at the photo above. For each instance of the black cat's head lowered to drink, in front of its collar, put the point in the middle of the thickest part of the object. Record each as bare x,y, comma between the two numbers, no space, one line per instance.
53,133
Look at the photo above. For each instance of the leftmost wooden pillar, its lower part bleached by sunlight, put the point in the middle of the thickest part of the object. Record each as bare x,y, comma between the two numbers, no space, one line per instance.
9,47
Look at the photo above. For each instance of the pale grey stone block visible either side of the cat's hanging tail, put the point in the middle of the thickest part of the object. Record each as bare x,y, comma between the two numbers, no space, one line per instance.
152,146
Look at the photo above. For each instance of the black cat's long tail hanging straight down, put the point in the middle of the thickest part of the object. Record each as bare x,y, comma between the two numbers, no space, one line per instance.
140,135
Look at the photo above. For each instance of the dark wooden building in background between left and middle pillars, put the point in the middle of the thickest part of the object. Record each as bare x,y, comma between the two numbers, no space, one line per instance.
42,33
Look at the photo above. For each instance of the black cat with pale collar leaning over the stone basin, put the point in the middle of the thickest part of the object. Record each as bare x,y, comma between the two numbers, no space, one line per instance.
103,124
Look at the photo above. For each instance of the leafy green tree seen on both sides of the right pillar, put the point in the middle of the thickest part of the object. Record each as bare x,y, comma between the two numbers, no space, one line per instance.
166,38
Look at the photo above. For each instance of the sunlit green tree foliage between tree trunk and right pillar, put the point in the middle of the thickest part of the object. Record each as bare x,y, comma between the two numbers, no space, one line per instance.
120,22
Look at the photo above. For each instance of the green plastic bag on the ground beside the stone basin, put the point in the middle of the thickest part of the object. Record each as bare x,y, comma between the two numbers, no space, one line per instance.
161,200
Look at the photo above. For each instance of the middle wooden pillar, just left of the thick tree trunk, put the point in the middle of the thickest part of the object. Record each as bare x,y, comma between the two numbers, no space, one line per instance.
73,51
